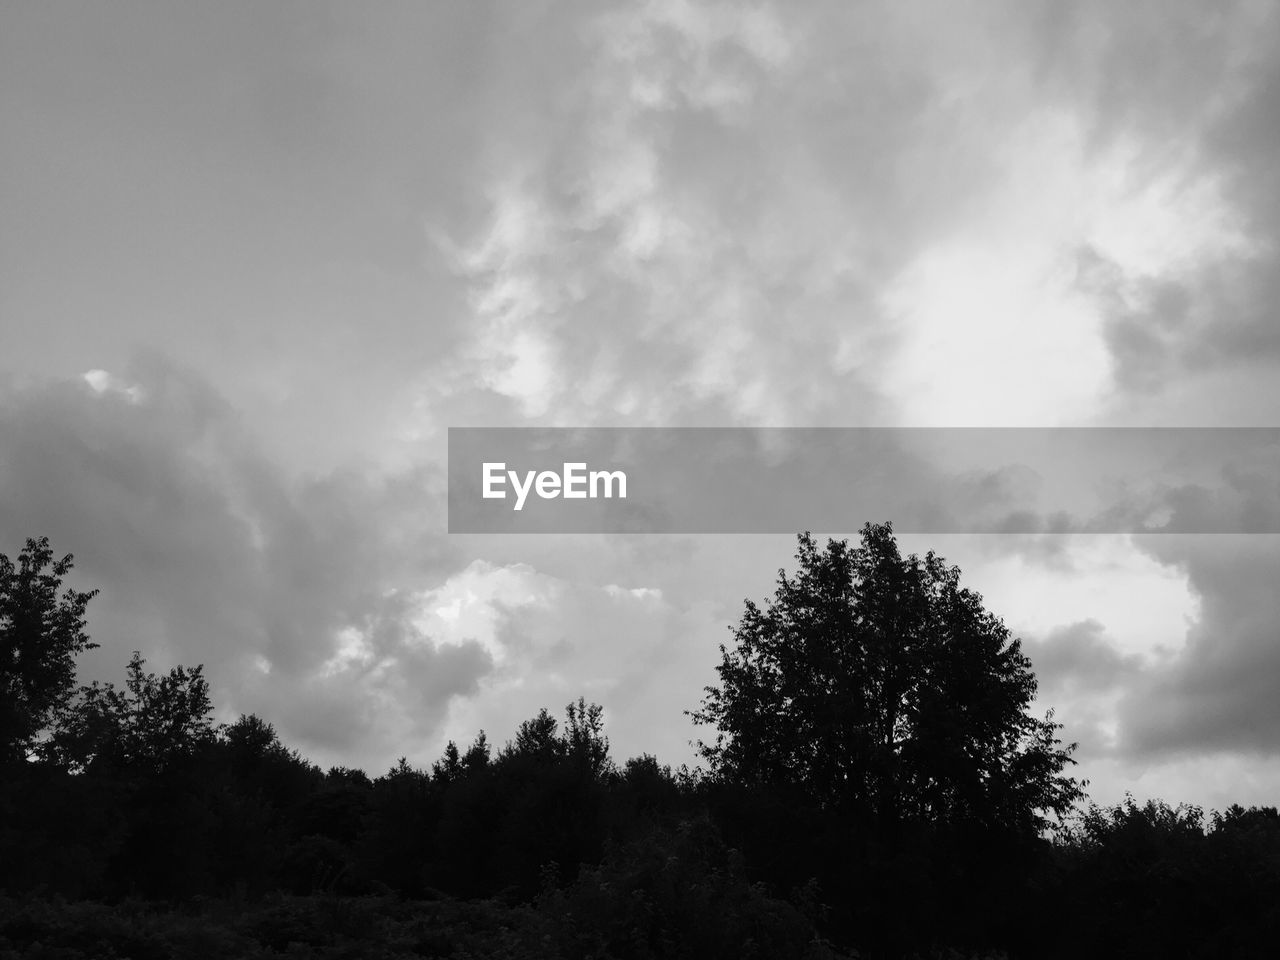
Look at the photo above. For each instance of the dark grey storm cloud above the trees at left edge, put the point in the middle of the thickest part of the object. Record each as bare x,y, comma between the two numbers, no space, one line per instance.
205,554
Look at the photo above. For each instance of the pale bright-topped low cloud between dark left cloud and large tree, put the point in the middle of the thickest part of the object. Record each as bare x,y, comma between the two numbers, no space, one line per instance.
642,655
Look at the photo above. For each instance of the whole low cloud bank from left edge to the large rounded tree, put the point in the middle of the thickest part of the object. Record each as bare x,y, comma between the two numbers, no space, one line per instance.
331,604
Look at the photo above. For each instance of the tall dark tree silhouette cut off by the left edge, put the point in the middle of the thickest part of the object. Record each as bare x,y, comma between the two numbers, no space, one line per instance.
40,637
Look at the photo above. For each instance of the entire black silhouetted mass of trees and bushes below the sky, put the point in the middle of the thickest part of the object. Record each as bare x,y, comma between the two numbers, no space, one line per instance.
876,787
